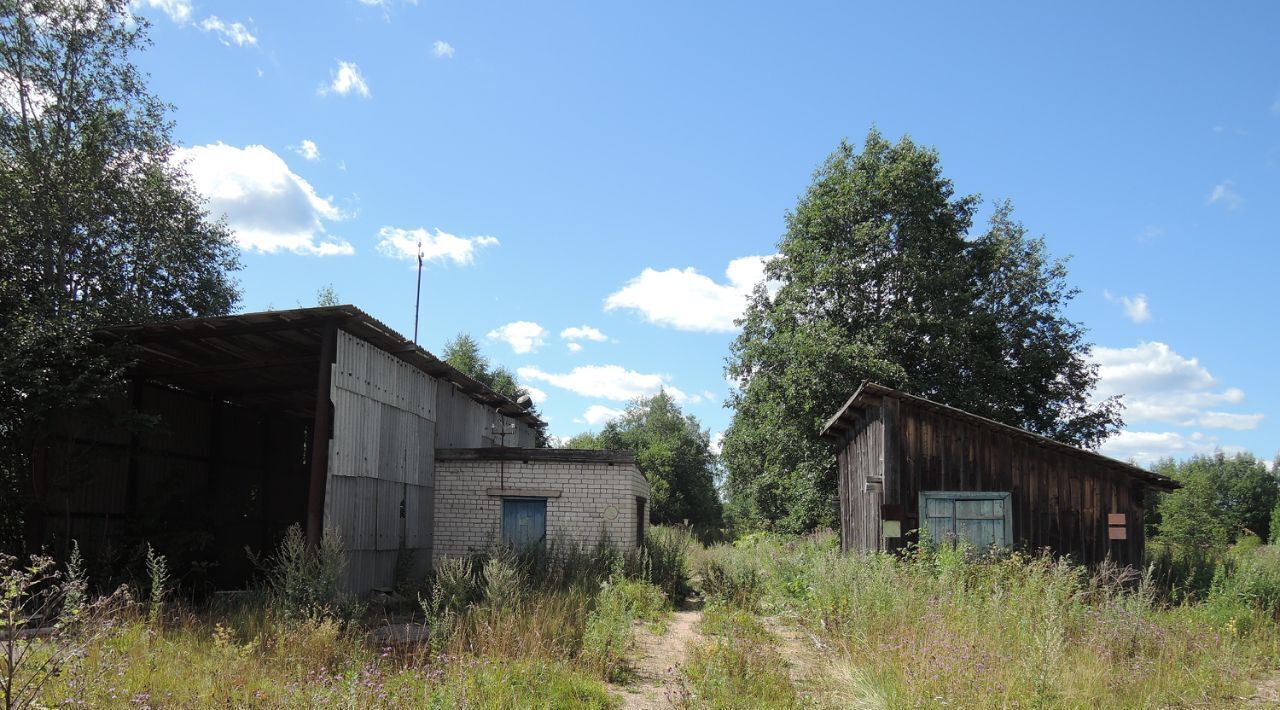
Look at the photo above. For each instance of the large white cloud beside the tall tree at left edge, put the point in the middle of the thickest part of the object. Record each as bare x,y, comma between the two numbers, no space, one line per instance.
267,205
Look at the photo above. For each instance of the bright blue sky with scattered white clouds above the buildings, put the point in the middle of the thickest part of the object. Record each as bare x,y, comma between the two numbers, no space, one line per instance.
597,184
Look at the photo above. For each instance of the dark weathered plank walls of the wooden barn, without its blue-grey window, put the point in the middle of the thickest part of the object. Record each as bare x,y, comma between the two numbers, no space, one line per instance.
1060,502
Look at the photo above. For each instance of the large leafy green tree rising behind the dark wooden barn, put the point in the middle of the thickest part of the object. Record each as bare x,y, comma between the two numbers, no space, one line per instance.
880,277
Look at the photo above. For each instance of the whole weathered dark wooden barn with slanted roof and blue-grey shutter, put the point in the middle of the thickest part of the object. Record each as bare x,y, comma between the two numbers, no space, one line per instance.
908,465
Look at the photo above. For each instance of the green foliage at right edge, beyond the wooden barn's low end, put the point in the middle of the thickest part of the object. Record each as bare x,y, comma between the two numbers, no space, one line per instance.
1222,498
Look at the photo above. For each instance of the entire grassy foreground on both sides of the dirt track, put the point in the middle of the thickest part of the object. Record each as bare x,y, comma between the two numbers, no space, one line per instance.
895,633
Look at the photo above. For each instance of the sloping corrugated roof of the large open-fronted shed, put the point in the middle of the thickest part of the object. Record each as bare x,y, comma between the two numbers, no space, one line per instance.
209,352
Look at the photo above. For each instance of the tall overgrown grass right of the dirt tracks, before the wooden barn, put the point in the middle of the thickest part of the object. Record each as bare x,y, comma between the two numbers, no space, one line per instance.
945,629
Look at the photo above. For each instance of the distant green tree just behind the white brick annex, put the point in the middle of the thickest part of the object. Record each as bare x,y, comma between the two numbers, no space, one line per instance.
675,454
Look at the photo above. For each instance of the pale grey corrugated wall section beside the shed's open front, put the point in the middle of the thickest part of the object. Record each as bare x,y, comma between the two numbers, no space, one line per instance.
382,462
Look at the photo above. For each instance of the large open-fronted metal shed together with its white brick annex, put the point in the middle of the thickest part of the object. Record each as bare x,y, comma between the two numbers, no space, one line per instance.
236,428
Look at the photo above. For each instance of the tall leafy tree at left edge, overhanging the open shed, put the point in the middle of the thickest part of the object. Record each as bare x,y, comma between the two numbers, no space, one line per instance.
98,226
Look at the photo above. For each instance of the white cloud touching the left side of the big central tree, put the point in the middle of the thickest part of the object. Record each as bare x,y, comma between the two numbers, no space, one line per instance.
685,300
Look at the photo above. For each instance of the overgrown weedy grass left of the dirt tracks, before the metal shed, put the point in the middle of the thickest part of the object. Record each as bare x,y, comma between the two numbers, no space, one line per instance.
508,633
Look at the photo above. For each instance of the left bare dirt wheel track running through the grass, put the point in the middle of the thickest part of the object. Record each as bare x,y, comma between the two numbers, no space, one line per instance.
659,661
